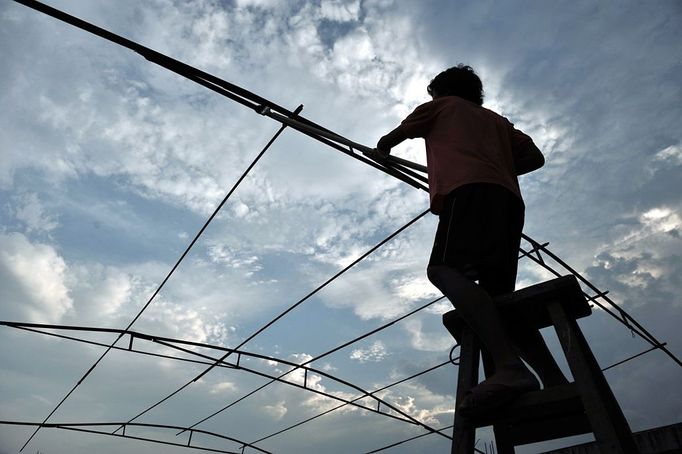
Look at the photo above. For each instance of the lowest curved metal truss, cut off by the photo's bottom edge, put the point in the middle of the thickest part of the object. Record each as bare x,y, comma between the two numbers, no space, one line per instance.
79,427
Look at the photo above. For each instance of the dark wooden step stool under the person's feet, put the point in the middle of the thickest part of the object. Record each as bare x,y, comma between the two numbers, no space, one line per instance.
584,406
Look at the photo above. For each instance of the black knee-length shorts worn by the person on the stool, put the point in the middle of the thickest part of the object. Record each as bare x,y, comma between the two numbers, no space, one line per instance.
479,233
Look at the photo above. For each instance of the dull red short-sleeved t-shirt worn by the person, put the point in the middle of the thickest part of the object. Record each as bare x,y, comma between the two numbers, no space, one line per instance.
465,143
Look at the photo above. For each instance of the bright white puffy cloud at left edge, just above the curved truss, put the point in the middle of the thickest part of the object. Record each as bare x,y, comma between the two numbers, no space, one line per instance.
33,277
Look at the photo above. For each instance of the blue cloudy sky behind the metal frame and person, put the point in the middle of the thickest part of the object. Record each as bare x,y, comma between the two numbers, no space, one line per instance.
110,165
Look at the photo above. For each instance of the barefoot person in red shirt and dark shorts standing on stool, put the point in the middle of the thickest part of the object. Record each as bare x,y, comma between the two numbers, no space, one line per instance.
473,158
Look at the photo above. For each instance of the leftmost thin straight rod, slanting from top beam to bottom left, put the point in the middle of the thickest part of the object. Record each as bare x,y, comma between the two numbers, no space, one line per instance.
170,273
